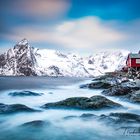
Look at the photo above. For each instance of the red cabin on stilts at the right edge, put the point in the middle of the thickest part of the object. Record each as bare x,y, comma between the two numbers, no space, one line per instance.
133,62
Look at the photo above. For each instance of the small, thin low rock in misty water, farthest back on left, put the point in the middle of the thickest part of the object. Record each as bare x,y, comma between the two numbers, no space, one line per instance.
25,93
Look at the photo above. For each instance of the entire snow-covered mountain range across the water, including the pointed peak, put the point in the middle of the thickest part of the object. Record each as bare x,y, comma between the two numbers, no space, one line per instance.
28,61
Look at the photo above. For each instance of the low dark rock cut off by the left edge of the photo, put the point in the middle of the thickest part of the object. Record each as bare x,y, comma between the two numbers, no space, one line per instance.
14,108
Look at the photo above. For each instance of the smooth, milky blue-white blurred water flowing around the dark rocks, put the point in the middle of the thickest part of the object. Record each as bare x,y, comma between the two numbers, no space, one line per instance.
55,89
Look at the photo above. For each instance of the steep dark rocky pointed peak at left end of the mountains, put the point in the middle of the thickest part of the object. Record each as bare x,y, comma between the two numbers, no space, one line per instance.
20,60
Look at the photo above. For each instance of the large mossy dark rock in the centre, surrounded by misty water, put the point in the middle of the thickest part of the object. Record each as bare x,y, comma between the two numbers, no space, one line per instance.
95,102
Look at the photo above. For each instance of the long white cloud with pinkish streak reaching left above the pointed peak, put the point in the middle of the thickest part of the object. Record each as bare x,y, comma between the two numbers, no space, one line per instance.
84,33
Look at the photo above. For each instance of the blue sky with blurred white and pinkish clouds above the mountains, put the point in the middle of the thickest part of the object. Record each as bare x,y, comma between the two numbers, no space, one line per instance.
83,26
